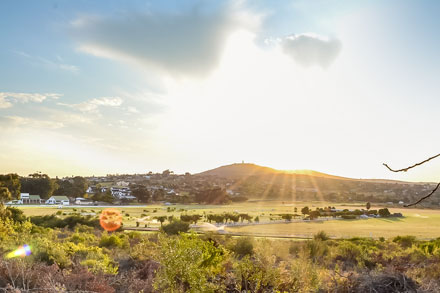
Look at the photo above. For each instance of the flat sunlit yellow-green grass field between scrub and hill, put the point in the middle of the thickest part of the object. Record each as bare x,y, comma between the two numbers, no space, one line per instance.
422,223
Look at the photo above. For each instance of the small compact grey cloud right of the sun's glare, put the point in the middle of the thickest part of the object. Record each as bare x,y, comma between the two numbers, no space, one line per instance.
310,49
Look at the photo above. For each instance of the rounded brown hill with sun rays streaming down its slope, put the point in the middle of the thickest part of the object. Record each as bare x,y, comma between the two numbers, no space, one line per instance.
259,182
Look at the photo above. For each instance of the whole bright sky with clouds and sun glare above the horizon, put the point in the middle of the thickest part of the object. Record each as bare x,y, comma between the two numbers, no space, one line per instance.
105,87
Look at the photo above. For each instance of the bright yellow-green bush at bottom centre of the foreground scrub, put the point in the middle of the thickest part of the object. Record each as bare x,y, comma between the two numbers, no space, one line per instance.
188,264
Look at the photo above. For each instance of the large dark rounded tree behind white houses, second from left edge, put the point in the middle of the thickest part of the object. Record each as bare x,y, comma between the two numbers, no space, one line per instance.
39,184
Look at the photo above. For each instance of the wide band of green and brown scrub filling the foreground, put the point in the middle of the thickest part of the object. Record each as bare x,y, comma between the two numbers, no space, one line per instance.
82,257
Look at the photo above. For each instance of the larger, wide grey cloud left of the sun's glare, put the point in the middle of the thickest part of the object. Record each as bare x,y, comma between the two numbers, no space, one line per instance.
184,43
